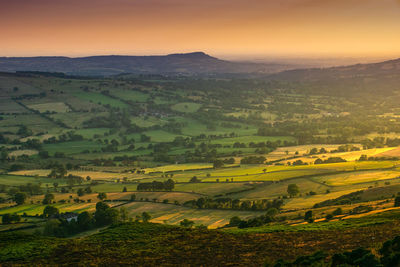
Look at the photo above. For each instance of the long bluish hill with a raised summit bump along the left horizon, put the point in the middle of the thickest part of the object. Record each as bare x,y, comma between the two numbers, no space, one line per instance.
191,63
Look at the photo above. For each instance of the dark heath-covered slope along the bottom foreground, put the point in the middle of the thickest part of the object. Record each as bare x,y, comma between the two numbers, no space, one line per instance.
146,244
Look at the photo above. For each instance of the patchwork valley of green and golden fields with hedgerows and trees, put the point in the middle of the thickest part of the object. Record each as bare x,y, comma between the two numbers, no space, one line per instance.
192,153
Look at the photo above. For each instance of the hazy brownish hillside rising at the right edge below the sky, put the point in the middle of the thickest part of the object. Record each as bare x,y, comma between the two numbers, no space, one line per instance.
379,79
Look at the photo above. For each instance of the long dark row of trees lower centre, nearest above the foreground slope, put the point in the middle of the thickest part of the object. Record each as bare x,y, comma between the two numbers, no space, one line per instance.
234,204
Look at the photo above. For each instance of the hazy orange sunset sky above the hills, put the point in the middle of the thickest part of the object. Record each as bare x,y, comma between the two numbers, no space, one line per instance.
218,27
